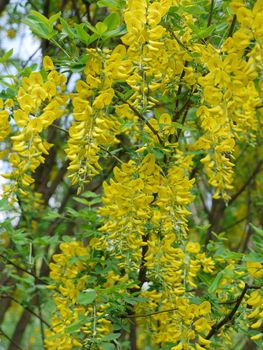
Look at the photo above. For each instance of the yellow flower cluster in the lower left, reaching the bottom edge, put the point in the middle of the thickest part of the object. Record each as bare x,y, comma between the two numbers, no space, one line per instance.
68,282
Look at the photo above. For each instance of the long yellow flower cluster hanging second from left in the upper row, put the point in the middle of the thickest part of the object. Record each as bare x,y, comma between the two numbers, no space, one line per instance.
93,125
